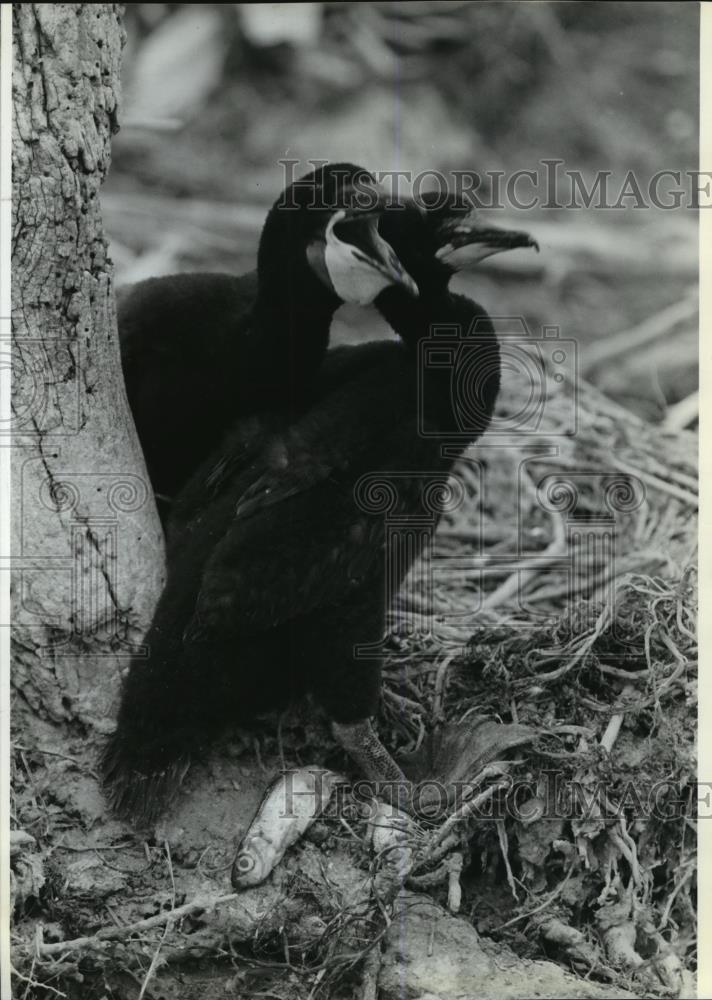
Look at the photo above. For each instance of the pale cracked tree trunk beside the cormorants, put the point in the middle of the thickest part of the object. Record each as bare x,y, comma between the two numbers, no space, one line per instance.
87,545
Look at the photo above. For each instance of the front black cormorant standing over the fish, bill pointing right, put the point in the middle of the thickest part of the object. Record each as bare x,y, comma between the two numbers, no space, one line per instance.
275,581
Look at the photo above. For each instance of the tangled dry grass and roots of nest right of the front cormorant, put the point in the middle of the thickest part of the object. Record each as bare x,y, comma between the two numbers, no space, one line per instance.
580,621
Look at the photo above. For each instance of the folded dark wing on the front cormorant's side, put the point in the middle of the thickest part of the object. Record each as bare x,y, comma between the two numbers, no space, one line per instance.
296,539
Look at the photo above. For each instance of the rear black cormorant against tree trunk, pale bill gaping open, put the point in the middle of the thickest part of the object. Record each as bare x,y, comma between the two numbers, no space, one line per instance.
201,350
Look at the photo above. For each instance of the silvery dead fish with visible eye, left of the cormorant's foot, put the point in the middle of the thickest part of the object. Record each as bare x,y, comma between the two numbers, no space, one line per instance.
288,808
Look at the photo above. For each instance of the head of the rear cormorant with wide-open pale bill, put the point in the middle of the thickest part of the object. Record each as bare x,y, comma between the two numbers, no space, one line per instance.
328,222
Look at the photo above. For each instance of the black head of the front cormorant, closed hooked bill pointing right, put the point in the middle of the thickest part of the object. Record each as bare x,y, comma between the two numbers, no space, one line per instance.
438,236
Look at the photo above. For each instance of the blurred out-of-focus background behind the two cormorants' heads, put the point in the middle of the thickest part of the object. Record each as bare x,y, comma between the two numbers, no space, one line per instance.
215,95
